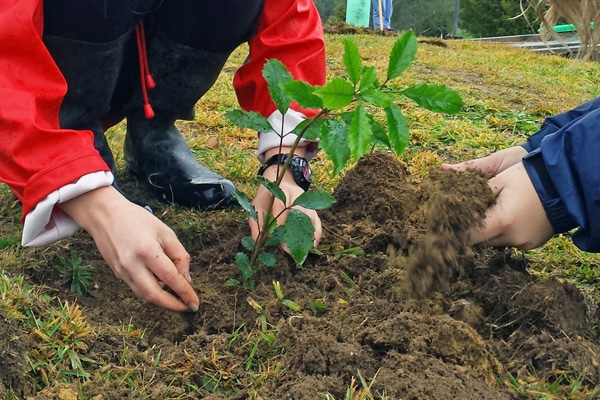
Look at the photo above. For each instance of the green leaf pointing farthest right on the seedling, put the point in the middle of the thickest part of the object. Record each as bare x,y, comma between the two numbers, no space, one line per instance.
437,98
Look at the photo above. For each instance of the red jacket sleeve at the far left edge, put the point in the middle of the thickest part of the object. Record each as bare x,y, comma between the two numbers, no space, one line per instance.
36,156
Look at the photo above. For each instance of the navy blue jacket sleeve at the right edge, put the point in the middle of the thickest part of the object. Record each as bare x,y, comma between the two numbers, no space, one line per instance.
564,167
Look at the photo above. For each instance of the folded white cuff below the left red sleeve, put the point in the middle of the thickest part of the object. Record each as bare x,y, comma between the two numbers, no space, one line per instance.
46,223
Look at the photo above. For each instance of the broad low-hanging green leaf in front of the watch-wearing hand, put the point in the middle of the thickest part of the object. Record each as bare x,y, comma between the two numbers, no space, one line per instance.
298,234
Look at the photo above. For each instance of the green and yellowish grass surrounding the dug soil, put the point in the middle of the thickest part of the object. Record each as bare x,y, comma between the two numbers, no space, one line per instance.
507,93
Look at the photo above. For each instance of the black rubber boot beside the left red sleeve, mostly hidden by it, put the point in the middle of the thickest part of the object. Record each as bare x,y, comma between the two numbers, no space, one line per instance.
91,71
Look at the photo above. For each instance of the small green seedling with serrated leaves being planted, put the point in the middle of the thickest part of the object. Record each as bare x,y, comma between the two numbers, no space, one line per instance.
345,128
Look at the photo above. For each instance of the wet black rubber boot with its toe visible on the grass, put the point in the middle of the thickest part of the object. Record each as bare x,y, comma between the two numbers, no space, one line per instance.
154,148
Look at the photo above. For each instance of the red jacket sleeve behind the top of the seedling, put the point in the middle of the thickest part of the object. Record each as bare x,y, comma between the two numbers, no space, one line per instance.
291,32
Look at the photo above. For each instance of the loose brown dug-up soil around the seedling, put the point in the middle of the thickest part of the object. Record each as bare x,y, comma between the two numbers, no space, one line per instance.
419,314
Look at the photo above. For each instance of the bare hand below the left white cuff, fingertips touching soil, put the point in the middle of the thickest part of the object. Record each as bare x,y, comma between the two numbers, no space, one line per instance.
139,248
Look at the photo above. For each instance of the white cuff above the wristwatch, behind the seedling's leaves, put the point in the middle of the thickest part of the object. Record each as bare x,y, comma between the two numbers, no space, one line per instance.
281,136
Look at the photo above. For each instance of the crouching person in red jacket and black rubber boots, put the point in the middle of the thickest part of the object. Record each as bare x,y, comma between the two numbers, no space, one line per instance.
71,69
